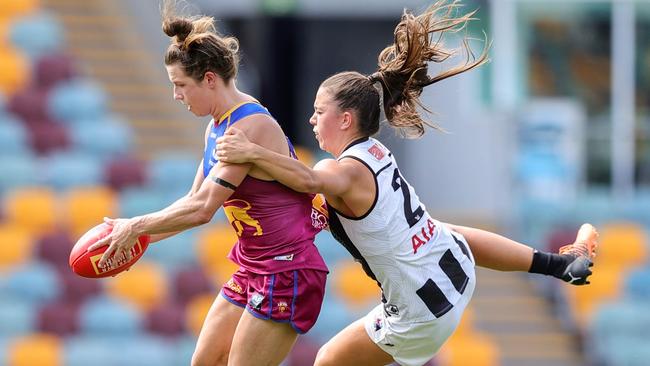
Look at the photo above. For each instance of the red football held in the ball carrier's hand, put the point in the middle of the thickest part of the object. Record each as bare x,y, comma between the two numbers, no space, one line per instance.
84,263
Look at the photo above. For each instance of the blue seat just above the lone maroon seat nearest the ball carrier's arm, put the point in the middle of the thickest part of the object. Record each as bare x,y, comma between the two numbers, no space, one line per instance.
104,138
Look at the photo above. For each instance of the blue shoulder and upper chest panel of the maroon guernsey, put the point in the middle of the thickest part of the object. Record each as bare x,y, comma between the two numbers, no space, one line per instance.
236,113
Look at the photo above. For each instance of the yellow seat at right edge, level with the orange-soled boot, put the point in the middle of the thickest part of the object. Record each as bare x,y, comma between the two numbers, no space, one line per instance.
621,244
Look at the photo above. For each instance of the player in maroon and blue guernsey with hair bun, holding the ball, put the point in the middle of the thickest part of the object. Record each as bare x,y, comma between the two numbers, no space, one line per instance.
281,280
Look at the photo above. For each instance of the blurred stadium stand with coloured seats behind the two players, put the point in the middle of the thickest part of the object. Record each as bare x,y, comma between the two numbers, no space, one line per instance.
555,131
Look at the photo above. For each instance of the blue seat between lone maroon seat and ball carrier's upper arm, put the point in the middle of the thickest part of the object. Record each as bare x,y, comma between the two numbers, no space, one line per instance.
173,172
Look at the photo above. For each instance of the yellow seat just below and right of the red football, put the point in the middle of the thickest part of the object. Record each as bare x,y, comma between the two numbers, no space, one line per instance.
144,285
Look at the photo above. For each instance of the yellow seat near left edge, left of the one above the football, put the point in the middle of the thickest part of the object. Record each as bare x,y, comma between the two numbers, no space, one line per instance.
32,208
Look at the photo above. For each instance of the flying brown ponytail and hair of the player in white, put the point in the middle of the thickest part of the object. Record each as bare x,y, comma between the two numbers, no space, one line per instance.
402,71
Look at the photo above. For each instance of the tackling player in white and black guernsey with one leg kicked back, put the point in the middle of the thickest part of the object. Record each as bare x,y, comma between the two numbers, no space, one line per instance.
424,268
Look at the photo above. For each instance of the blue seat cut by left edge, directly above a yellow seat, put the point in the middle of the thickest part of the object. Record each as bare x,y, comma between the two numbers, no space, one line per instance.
19,171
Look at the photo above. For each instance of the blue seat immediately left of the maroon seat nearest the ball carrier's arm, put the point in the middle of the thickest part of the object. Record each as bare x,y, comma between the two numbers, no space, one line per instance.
67,170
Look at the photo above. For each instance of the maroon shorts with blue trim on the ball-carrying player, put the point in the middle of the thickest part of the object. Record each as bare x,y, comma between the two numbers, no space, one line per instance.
293,297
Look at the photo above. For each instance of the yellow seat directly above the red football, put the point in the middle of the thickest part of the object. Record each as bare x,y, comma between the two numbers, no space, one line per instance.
86,207
